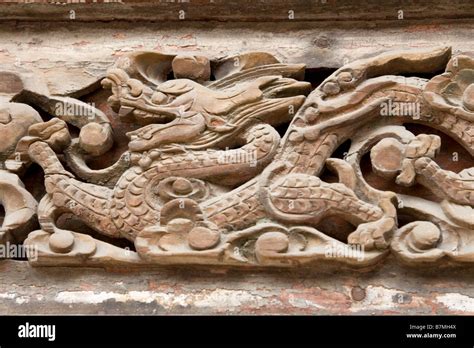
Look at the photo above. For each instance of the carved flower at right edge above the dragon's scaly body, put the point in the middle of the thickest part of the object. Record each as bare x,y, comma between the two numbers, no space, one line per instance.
453,91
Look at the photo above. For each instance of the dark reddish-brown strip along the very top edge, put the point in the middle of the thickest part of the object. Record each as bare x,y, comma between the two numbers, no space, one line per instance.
221,10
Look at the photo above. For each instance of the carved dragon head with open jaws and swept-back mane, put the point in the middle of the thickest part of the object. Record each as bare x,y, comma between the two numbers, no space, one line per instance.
208,113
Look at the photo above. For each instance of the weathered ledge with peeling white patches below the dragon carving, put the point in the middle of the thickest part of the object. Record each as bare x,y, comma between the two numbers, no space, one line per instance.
389,289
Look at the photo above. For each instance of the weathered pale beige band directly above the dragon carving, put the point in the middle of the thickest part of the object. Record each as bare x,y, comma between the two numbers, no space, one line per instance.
73,57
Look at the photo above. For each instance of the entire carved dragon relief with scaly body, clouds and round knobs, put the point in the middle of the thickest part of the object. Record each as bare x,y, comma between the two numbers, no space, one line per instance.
206,178
